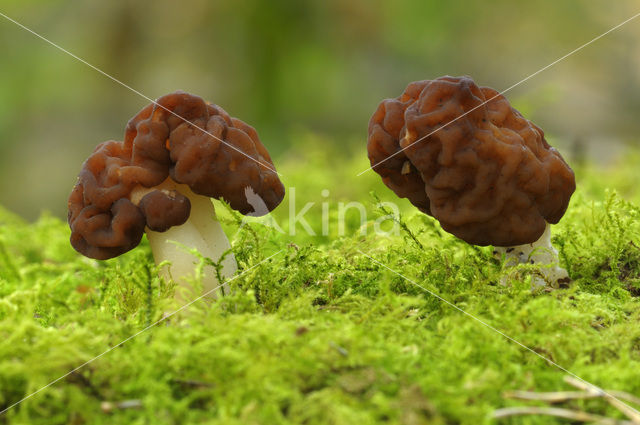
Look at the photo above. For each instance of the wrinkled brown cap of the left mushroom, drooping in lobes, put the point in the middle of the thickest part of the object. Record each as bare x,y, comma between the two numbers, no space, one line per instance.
166,139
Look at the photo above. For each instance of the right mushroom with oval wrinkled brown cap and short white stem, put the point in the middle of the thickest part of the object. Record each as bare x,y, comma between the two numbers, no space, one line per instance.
463,155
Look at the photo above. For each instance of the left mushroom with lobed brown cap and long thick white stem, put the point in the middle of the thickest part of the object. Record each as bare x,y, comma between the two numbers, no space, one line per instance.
178,152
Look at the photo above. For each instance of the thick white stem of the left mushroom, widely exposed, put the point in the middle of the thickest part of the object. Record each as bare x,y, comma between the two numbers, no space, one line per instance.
201,231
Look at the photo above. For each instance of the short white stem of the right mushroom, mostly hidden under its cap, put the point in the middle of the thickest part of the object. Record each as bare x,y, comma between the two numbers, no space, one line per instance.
539,252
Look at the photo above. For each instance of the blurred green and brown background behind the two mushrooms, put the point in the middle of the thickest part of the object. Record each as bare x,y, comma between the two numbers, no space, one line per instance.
289,66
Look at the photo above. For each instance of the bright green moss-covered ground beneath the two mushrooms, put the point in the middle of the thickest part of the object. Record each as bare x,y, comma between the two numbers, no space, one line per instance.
320,333
